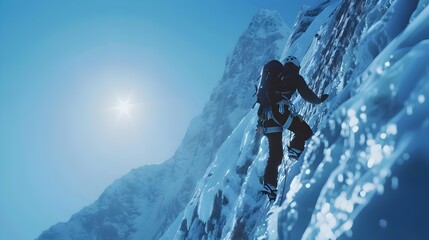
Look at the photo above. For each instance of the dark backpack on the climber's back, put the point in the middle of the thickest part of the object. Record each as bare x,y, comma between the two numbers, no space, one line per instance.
271,77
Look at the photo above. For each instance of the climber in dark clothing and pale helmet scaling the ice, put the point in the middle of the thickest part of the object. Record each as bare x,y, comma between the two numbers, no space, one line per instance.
277,85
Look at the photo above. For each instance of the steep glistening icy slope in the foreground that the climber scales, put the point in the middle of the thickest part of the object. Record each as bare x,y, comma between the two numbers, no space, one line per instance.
364,174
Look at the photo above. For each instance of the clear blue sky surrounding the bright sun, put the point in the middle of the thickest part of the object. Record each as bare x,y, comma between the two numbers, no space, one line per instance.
63,67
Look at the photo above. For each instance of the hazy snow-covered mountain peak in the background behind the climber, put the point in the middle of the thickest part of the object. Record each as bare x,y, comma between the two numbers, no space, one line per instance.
144,203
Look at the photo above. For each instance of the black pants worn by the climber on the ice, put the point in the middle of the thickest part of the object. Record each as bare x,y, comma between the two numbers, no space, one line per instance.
302,132
